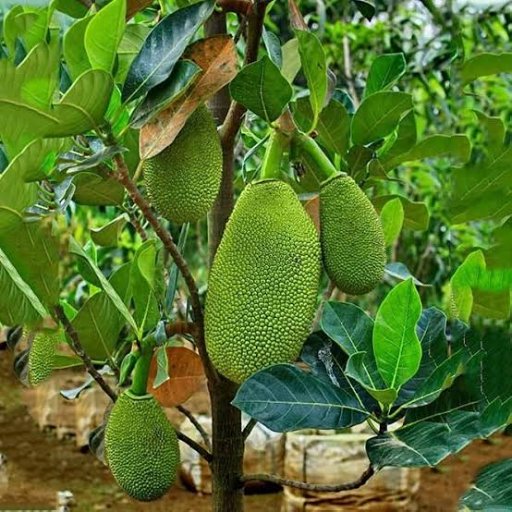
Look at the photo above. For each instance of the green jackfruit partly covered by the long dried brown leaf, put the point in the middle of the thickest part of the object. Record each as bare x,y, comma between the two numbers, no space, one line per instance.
184,179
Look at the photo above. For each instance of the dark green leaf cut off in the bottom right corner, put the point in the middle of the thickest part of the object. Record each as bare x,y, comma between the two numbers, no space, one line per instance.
492,489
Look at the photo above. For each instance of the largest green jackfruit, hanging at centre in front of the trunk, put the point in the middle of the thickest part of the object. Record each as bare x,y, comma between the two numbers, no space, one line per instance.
263,284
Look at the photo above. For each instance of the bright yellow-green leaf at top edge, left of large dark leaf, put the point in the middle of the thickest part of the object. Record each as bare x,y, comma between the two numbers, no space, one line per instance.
104,33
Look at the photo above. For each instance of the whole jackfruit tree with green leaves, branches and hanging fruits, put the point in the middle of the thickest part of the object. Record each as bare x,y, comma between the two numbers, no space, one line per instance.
180,183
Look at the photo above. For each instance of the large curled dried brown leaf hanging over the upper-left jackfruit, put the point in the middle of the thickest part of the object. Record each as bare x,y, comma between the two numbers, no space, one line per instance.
218,59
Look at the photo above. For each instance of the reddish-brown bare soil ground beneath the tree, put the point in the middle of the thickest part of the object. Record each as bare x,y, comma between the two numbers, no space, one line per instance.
38,465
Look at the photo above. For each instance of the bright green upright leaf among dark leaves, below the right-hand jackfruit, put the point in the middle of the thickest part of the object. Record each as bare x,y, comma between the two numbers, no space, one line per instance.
395,342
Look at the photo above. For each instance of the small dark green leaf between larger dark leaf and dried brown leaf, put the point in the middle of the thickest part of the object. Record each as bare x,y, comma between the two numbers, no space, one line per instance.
185,73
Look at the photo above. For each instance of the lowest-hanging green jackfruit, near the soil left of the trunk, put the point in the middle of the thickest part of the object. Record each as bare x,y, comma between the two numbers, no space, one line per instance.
141,447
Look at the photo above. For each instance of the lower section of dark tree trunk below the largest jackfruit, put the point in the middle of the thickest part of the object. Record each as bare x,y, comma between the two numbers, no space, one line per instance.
228,450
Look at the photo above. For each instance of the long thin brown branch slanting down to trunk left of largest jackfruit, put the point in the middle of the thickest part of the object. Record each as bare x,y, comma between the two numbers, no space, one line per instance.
123,177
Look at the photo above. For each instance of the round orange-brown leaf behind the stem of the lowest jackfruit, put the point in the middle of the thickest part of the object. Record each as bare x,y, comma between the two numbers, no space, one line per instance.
186,376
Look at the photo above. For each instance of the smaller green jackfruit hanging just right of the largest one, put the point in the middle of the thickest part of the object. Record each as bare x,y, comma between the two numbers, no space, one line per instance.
353,245
